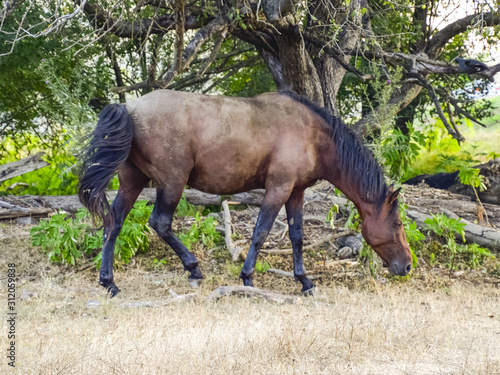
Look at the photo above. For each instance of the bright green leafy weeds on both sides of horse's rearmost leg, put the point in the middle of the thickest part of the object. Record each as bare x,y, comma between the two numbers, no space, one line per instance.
68,239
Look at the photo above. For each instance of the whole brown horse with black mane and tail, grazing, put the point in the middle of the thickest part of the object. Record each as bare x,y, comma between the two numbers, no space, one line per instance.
222,145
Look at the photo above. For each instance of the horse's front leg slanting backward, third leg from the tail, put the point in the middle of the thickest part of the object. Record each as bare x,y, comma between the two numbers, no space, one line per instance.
273,201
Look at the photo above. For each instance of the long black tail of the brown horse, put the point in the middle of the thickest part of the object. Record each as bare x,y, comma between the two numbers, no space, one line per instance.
108,148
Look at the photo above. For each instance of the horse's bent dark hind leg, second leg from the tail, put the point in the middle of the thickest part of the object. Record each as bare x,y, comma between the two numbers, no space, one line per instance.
161,221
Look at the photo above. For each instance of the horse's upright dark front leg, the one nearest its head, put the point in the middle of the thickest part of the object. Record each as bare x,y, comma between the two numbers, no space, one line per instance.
294,212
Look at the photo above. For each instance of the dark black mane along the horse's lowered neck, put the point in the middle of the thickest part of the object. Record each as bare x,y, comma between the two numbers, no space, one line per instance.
356,162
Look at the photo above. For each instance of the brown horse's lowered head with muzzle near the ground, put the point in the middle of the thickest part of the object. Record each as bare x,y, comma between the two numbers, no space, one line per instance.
383,231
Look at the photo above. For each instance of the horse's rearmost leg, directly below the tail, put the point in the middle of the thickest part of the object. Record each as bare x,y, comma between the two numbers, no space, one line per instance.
132,181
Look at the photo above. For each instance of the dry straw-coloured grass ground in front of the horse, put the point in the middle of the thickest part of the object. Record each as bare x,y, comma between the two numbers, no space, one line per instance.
424,326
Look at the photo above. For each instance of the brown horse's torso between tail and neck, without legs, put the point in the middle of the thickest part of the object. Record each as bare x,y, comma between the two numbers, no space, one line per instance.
224,144
